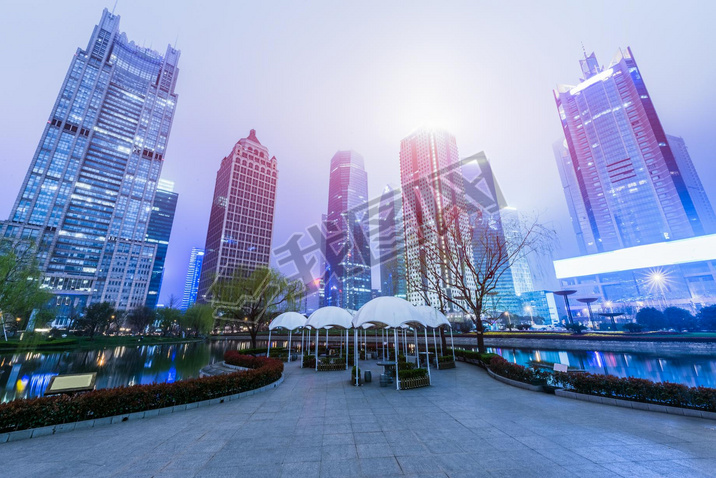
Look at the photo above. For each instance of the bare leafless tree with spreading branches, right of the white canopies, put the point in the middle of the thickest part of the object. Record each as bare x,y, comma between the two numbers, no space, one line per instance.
464,262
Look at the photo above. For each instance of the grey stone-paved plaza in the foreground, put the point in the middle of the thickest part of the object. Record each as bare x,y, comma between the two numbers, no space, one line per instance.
317,425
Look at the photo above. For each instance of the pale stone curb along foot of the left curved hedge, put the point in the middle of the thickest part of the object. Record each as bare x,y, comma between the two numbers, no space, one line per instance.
66,427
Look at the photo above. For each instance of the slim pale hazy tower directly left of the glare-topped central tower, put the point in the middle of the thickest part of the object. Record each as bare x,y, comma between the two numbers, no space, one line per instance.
391,243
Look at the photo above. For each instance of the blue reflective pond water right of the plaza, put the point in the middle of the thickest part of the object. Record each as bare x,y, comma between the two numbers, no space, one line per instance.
694,371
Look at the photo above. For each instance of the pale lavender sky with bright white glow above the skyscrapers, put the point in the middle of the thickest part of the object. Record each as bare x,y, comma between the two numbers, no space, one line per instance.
314,77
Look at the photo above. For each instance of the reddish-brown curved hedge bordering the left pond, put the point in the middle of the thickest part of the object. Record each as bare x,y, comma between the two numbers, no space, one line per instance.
107,402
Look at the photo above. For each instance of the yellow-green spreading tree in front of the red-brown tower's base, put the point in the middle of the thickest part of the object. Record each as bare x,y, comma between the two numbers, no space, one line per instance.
249,298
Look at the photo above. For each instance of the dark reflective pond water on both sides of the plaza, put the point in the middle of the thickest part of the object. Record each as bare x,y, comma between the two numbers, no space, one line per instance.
27,374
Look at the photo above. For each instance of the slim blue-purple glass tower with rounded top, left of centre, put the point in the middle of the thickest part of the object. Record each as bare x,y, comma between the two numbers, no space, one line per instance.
347,280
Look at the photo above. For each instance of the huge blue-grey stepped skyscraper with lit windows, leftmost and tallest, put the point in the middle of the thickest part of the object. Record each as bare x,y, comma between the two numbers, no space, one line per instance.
89,191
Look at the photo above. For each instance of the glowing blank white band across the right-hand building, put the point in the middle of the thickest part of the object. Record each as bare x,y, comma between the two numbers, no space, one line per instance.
684,251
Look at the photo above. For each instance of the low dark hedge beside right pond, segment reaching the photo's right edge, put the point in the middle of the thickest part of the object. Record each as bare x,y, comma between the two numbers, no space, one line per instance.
639,389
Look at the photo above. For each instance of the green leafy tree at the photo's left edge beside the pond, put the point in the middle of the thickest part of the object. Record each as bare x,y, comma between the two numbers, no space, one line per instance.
20,276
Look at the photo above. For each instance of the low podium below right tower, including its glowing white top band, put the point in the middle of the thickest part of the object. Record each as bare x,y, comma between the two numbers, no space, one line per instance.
680,273
